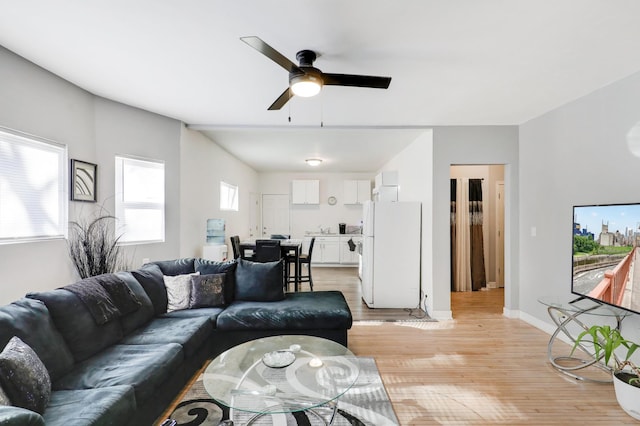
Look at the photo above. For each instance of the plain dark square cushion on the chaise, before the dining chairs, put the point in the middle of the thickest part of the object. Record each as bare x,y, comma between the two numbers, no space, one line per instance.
259,282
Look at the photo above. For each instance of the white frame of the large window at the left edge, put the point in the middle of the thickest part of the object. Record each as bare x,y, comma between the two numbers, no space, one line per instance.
61,150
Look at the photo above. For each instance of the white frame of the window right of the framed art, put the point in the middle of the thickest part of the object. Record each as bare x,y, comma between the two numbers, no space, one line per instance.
121,204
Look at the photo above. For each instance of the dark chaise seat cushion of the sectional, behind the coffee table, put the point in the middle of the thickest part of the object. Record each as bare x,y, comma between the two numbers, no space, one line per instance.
301,310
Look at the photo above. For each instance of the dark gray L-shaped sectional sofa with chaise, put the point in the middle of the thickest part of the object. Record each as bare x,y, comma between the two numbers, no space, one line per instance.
127,370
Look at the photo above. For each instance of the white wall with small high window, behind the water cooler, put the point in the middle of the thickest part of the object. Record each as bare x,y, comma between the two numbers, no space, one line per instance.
204,165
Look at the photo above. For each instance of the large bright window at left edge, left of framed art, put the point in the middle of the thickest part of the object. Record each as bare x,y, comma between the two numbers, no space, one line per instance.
33,189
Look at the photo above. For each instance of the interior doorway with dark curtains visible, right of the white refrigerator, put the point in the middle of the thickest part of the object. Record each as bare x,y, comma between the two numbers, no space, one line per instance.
477,192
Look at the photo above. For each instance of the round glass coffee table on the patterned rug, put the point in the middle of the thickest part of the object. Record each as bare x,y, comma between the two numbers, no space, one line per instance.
281,374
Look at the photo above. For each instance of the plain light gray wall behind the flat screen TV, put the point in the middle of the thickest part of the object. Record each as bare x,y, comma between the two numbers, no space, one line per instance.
576,154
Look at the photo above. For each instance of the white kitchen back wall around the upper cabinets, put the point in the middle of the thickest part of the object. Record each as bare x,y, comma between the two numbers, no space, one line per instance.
309,218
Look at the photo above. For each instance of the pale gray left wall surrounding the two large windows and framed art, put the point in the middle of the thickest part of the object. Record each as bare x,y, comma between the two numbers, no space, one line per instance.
34,101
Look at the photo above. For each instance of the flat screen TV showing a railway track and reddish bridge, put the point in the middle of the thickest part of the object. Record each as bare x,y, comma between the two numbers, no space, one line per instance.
605,241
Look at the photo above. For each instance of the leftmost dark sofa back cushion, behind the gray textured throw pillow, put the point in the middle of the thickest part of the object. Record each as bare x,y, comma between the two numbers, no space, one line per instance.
30,320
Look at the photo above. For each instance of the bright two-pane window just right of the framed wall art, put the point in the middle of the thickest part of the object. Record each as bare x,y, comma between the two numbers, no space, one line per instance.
140,200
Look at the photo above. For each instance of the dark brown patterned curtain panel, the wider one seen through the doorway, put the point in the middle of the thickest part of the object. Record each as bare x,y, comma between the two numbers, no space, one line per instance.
478,277
